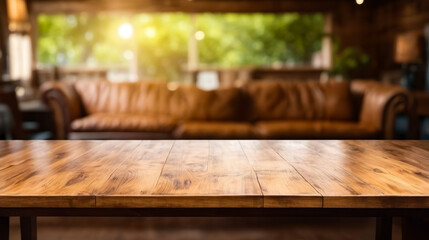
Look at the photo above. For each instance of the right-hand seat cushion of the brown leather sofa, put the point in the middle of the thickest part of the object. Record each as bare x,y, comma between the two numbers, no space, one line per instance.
313,130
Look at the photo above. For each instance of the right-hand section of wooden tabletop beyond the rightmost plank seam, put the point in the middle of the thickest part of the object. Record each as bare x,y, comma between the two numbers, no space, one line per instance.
361,174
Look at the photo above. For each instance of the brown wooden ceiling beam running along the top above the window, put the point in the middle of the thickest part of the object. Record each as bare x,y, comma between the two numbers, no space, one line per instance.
192,6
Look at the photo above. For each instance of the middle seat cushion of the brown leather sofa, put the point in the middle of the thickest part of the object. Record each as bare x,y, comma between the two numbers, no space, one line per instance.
214,130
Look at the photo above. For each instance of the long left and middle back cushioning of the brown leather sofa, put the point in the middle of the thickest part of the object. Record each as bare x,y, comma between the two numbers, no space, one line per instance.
182,103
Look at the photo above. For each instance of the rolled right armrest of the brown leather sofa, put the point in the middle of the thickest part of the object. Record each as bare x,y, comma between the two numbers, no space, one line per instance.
381,103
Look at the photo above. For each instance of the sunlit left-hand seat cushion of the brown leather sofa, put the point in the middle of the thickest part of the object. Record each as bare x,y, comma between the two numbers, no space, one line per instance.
123,122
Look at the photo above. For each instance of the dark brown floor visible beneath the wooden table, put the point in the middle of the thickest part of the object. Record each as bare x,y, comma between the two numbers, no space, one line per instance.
202,228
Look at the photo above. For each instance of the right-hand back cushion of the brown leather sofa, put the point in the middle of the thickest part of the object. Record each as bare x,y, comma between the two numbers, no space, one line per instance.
291,100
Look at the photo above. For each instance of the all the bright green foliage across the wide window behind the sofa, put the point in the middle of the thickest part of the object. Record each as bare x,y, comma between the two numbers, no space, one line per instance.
161,40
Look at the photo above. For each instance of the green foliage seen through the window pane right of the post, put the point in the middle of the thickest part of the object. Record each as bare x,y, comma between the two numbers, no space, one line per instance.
234,40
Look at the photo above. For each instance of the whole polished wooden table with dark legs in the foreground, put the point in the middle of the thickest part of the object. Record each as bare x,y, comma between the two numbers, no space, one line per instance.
213,178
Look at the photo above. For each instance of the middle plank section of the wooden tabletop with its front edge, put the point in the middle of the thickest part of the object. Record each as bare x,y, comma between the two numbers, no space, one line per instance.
211,174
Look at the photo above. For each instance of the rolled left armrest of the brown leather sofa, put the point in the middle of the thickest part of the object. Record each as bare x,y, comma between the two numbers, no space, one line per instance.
65,103
